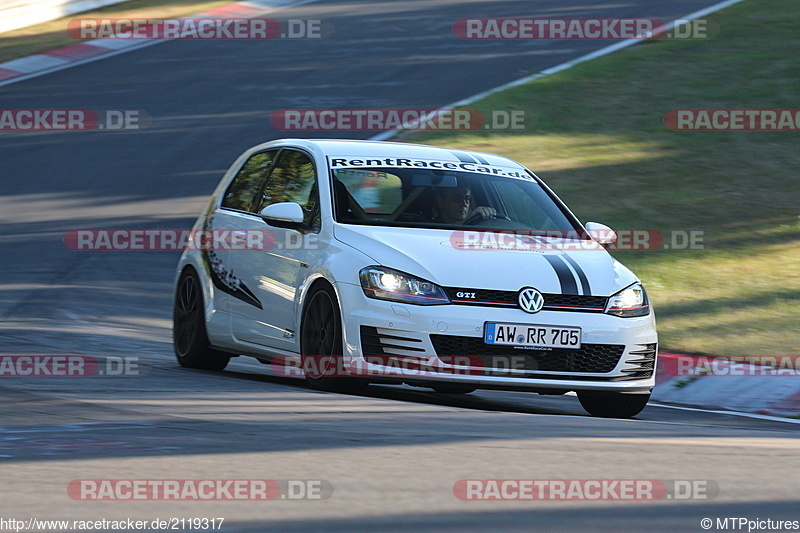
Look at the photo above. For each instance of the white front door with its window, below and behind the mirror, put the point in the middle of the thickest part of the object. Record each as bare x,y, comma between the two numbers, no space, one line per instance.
276,272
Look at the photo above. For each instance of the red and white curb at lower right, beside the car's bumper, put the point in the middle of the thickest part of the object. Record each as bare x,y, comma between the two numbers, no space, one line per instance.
733,387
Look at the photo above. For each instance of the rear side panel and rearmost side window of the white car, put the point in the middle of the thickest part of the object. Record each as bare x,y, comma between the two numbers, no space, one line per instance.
236,210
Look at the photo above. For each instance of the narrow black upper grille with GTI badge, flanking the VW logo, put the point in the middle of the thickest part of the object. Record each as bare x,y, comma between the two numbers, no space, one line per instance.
552,302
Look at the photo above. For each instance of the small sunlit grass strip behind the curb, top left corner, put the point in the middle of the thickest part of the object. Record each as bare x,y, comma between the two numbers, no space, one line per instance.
53,34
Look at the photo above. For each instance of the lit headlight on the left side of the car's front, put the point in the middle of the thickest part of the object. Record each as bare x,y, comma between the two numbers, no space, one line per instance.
387,284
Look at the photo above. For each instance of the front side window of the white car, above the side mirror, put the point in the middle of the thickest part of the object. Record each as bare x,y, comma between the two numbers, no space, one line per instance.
294,179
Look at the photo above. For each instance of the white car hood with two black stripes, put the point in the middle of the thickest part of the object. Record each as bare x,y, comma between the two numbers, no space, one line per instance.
440,256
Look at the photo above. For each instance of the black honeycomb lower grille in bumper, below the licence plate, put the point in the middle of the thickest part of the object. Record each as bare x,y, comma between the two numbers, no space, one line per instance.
590,358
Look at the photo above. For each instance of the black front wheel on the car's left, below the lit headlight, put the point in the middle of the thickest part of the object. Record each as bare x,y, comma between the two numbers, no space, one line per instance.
321,344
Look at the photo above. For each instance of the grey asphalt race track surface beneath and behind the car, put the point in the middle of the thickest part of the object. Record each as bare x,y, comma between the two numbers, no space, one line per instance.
393,454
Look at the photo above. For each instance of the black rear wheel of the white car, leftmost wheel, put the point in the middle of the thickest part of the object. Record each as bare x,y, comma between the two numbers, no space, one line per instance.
189,335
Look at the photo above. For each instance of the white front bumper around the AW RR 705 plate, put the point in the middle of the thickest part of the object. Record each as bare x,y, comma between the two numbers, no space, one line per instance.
424,344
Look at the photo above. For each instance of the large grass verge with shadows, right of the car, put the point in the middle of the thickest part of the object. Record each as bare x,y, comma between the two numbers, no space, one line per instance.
599,141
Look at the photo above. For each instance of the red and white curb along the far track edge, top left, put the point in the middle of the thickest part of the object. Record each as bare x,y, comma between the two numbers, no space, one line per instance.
85,52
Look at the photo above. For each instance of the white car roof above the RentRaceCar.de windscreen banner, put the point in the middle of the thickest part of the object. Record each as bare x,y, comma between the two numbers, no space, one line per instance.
378,149
